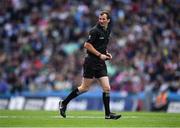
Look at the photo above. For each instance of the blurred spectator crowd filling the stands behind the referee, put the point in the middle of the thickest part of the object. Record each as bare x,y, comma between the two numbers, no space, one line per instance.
41,44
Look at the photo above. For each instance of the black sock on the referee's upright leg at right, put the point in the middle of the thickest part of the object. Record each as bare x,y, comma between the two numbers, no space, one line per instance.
106,100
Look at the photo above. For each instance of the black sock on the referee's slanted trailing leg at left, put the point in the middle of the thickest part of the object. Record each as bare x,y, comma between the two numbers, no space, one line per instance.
72,95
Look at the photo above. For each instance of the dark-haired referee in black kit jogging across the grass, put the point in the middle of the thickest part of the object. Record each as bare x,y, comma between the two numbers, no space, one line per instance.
94,65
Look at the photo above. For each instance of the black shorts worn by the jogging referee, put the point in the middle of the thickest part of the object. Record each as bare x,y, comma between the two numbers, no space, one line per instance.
94,68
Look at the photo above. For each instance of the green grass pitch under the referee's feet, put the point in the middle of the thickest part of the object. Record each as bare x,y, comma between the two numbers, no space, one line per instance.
87,119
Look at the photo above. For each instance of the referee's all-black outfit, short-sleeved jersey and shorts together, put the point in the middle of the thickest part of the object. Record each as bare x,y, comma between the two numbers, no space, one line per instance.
93,65
